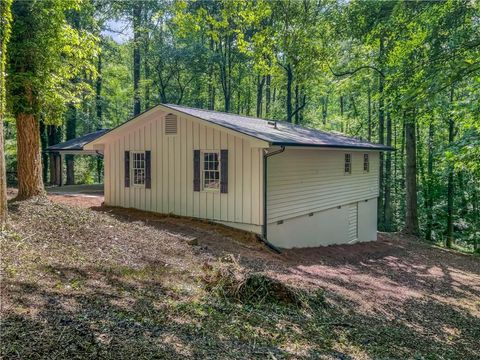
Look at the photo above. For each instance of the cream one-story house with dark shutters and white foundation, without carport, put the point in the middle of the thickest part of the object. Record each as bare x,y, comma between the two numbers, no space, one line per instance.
294,186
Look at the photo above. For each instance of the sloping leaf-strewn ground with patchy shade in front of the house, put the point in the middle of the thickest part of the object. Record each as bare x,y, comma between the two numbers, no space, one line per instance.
121,284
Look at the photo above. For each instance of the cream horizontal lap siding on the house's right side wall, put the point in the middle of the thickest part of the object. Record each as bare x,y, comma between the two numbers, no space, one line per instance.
302,181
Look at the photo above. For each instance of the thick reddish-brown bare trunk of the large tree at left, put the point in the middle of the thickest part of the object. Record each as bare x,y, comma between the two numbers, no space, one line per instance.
29,163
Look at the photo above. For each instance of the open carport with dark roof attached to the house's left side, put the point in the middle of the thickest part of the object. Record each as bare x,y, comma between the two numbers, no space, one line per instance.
58,152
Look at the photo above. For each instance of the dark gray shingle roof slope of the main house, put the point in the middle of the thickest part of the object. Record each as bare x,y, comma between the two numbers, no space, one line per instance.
284,134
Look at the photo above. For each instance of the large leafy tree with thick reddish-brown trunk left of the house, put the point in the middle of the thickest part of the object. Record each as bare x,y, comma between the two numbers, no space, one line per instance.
45,54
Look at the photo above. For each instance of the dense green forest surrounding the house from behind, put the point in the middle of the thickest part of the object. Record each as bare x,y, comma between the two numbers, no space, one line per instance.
401,73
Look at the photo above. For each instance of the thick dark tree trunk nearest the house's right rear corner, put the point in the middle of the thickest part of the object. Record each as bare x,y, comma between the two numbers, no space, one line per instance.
411,216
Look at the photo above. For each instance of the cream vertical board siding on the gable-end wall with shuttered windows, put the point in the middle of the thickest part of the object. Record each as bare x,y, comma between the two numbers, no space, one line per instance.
172,172
